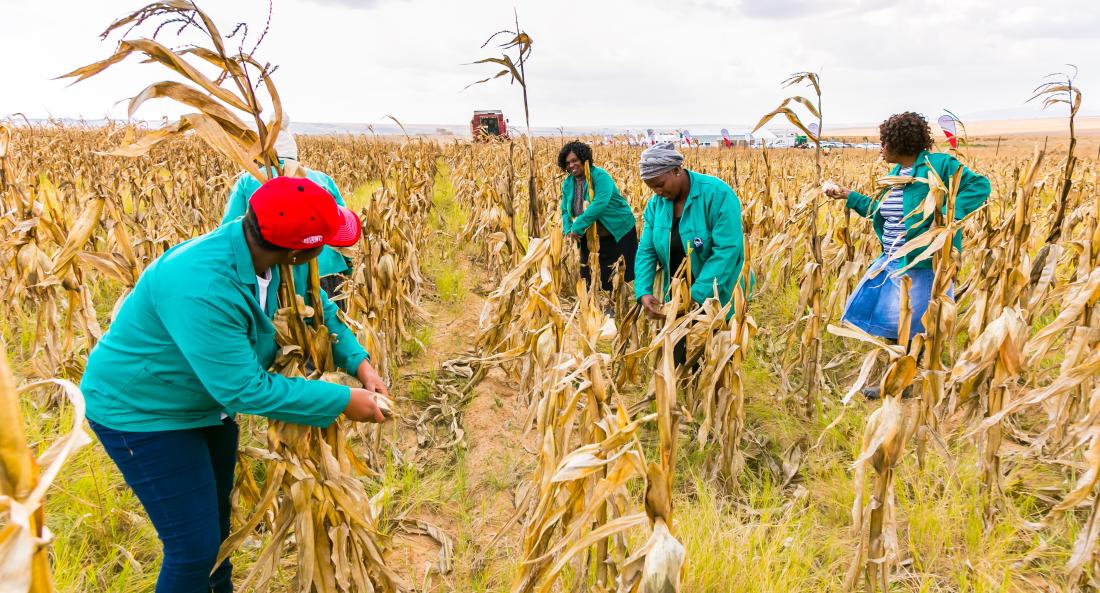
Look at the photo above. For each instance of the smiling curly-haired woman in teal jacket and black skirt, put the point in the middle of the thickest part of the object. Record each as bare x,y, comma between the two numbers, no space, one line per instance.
608,211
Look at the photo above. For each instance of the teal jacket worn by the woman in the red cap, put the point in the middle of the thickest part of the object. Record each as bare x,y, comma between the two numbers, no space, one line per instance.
191,343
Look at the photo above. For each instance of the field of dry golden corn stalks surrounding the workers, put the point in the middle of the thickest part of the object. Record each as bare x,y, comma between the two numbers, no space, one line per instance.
535,452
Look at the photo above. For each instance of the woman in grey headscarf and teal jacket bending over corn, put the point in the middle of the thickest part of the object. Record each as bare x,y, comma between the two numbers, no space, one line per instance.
692,228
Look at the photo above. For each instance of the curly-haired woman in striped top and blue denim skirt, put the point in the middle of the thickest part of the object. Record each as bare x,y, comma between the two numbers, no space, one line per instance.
897,217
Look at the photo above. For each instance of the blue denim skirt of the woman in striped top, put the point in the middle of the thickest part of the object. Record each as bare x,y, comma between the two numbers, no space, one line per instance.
876,305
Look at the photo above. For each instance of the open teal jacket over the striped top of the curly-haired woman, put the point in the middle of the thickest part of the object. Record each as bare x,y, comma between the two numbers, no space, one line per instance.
974,192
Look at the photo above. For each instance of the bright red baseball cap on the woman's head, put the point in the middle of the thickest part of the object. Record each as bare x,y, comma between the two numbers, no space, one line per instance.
294,213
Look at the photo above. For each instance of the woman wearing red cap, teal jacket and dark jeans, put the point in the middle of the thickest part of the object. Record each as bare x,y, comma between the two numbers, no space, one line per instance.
191,347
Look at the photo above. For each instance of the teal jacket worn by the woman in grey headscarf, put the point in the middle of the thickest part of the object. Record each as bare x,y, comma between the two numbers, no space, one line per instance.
711,230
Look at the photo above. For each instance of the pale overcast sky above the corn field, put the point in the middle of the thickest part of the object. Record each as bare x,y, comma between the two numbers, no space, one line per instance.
595,63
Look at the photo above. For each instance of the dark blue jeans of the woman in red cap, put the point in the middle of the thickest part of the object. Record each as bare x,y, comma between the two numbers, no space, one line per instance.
183,479
